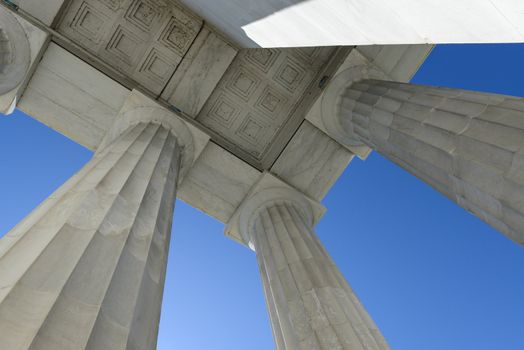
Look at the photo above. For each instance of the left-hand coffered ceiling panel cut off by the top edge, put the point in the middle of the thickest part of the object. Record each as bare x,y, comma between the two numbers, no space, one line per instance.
143,39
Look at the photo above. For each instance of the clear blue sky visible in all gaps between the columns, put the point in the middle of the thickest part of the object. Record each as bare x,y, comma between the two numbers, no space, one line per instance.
432,276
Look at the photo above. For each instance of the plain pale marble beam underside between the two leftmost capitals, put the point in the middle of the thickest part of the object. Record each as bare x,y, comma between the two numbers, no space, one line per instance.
72,97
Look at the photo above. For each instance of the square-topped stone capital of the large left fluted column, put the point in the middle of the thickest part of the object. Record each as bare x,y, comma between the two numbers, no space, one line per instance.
139,108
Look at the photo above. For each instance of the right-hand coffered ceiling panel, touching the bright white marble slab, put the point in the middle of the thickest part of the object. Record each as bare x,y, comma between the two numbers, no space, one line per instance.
258,94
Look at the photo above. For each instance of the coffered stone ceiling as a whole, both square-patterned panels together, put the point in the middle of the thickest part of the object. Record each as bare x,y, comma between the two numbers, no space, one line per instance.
253,106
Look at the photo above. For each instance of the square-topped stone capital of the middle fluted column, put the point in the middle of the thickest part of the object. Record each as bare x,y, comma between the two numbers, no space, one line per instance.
269,191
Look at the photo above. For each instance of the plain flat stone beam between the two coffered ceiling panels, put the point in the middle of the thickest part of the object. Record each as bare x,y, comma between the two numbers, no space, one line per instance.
199,72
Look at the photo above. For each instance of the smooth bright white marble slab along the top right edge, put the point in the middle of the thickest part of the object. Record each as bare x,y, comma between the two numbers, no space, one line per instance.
294,23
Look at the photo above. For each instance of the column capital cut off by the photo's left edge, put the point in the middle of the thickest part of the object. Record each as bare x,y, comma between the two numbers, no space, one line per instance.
21,43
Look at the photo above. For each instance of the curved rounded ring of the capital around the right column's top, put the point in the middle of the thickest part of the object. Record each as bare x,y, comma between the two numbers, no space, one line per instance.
331,100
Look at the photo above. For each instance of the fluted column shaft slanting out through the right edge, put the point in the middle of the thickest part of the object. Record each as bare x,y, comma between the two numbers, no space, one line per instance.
467,145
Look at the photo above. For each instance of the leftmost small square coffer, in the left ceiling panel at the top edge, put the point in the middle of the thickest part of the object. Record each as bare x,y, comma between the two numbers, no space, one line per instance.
89,22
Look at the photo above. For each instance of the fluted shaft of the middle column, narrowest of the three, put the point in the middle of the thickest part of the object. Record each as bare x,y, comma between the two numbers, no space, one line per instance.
311,305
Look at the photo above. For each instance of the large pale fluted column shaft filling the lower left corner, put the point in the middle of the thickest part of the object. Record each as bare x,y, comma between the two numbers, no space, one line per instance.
86,269
